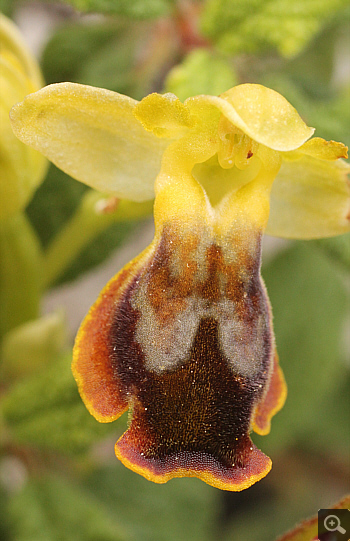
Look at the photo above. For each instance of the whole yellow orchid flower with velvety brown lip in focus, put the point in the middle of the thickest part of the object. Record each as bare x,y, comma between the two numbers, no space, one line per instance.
182,337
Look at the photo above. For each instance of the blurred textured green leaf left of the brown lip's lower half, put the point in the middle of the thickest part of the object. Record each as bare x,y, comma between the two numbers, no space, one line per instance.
47,411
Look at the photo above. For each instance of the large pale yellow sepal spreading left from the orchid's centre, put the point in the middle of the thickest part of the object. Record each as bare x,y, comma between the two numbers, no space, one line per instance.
93,135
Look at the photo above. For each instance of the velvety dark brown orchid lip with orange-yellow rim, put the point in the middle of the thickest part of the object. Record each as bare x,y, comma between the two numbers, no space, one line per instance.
192,407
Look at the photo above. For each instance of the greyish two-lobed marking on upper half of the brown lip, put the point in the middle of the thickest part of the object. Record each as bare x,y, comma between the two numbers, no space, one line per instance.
167,341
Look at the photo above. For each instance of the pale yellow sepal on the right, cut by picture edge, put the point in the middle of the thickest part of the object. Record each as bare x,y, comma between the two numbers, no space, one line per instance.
310,198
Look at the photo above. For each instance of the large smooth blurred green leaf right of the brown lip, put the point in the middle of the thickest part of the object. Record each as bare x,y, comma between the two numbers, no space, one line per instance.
309,304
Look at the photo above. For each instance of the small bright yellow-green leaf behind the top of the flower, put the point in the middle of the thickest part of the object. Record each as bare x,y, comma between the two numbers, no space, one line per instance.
202,72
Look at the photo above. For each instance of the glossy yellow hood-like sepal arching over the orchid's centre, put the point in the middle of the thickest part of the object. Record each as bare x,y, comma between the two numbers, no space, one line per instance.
262,114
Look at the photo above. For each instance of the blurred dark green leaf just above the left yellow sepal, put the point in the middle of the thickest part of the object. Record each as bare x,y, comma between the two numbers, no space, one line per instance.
107,55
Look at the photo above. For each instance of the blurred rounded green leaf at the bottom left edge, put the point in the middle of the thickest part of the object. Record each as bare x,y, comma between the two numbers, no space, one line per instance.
51,509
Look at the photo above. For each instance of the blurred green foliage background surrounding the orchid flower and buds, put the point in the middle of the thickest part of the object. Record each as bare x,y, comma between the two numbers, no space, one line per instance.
59,479
